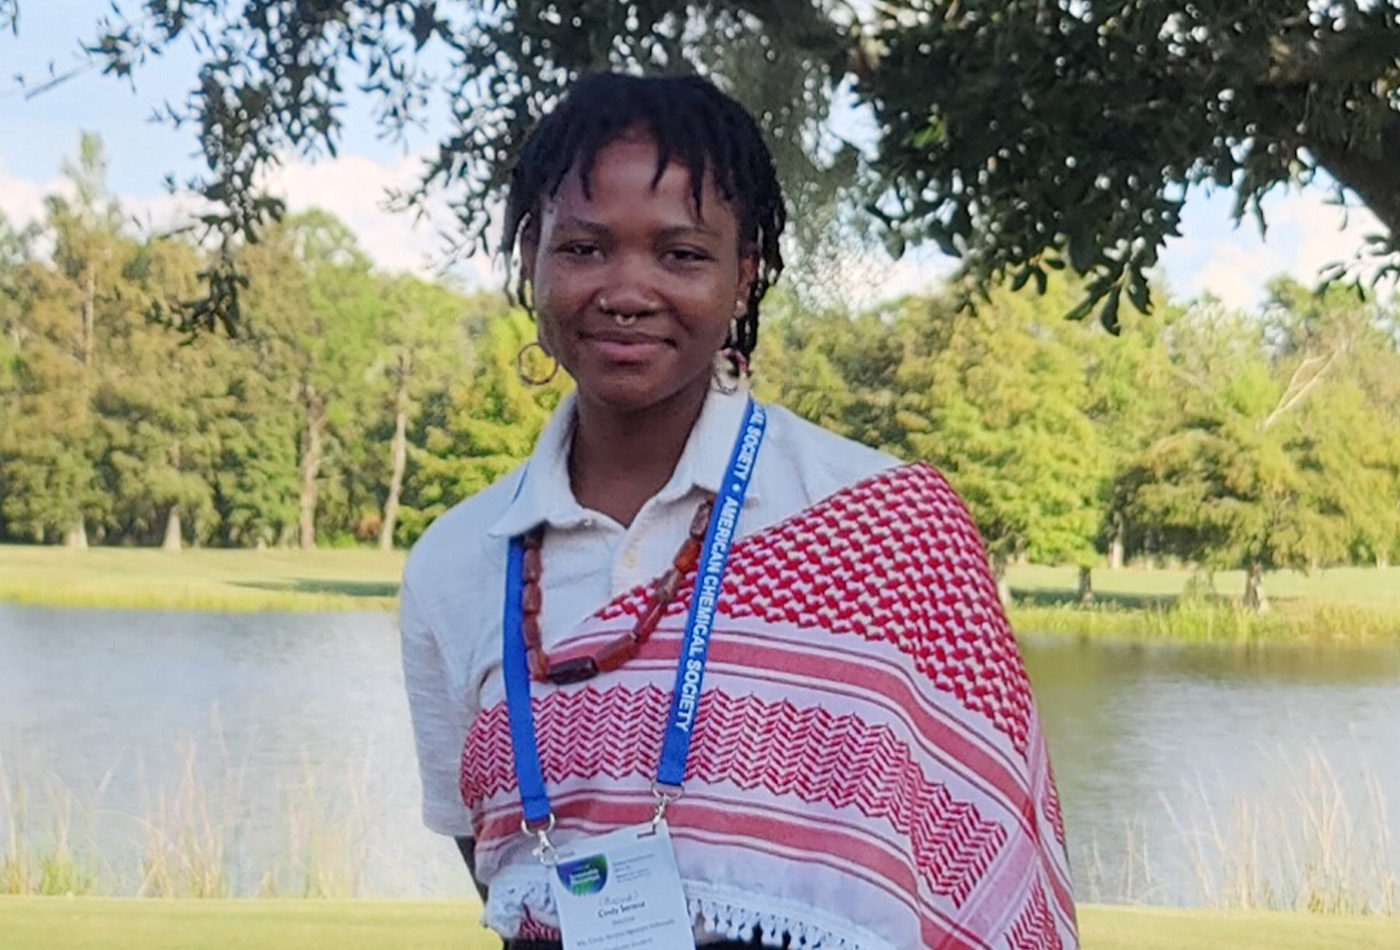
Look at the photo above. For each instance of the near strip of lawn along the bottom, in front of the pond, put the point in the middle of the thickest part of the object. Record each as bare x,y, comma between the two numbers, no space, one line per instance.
100,924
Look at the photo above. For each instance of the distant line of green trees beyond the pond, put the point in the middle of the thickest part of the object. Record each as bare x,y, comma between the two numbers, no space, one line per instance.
358,406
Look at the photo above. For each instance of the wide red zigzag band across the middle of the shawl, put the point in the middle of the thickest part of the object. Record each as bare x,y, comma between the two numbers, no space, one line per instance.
810,755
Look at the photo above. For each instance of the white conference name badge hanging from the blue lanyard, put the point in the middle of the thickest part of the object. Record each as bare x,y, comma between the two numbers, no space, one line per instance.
622,892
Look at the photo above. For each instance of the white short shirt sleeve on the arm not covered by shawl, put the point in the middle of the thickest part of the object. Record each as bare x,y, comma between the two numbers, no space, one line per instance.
439,730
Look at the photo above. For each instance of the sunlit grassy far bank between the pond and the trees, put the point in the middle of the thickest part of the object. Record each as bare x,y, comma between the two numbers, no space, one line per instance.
1342,607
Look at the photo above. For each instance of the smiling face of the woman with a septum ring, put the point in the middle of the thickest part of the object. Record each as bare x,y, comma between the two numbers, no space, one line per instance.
636,289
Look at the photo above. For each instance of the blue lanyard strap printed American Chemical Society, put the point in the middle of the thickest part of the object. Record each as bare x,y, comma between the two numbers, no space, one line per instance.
685,697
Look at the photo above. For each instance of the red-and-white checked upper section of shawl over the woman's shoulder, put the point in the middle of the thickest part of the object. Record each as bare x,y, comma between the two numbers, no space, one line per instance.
892,559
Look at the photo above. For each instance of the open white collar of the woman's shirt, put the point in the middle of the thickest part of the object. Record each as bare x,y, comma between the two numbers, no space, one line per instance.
544,495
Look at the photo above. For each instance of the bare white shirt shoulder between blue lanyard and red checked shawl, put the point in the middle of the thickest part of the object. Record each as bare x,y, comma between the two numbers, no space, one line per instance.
822,461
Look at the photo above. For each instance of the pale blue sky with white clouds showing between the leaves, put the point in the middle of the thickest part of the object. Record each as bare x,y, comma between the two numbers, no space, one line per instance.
1307,232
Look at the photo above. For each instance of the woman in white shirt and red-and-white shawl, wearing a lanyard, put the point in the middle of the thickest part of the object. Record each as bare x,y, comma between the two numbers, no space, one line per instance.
701,671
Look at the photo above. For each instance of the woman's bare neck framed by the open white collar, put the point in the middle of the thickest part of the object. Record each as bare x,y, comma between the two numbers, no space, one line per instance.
619,460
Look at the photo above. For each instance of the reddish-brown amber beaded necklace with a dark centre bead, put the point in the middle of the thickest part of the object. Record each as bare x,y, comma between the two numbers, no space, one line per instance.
576,669
